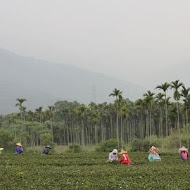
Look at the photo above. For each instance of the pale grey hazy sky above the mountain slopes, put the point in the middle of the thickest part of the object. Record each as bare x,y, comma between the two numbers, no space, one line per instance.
127,39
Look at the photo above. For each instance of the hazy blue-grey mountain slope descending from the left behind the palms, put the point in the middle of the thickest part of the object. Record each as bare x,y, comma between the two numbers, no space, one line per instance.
42,83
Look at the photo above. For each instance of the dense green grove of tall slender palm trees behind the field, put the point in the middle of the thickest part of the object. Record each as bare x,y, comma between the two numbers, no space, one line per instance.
71,122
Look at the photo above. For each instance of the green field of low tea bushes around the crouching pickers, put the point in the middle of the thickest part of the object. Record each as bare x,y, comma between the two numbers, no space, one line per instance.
91,171
